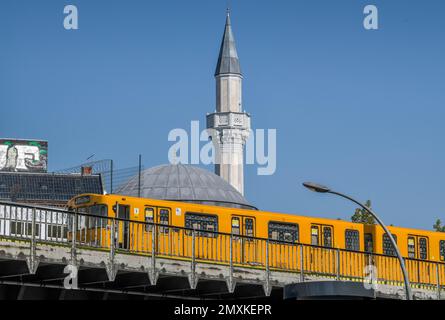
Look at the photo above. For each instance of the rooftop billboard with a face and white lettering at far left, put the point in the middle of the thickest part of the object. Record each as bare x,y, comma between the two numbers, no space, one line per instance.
23,155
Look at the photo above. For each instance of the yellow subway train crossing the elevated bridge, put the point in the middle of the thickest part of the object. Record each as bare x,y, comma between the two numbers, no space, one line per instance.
257,239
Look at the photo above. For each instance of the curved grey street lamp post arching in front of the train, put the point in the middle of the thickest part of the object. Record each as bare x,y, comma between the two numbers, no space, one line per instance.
323,189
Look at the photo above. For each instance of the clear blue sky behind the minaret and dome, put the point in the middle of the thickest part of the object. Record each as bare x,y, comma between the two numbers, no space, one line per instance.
361,111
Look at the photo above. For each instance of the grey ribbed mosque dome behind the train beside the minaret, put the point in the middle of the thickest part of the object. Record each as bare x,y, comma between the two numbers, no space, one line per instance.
184,183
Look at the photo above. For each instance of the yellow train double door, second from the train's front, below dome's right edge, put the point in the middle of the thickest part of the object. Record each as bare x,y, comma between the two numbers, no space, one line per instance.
244,247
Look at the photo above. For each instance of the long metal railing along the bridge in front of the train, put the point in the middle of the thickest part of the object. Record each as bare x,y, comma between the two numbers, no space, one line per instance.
45,225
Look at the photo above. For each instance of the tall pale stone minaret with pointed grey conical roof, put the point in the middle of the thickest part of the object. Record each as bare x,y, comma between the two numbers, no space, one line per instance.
230,124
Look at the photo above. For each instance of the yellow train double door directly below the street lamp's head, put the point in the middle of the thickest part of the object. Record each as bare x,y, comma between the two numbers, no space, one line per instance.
320,257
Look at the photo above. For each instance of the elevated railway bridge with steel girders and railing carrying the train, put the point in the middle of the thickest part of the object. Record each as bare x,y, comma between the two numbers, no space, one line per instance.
37,244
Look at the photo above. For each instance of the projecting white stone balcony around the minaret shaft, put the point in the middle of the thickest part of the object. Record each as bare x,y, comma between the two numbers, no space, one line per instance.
228,120
